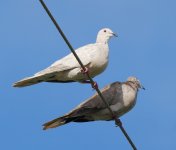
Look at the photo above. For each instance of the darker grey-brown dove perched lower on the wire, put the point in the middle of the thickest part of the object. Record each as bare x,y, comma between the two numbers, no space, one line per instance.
120,96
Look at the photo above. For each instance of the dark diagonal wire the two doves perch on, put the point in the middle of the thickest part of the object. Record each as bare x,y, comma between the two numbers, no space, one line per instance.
117,120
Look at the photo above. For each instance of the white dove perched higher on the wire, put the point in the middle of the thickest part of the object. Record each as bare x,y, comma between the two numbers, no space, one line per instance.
93,56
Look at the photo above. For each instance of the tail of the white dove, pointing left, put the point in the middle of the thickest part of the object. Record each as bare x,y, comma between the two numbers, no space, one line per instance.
29,81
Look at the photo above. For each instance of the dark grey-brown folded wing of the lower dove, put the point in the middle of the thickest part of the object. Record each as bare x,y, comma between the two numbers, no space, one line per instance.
111,93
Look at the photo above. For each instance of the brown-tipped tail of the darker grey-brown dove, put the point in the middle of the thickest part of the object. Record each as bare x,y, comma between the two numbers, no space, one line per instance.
58,122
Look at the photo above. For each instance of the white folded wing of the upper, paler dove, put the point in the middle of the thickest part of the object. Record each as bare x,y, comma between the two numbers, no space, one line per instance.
69,62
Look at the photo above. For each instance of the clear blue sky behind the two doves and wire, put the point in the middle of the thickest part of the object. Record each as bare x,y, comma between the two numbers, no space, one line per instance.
146,48
